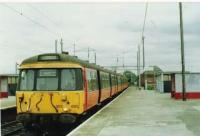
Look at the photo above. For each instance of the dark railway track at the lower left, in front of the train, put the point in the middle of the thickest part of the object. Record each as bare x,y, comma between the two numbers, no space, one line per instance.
11,128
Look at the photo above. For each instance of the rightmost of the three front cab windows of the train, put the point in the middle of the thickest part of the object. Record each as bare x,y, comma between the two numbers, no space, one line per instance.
71,79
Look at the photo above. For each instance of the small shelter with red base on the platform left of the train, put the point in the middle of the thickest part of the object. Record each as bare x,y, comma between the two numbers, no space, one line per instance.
8,85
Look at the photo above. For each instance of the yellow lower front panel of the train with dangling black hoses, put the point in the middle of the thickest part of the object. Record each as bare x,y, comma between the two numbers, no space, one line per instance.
50,102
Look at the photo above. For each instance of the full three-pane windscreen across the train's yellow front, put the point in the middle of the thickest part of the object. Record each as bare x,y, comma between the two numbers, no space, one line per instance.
51,79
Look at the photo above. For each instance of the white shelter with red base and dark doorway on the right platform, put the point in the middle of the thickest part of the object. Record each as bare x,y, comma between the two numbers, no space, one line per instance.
171,82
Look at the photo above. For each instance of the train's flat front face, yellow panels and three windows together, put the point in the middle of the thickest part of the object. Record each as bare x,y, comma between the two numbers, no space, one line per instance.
50,87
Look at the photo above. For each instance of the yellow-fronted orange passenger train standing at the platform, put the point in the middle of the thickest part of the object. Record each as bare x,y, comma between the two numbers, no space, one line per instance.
58,87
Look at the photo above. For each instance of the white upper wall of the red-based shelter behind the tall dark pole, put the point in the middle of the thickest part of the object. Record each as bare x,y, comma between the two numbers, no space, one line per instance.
192,82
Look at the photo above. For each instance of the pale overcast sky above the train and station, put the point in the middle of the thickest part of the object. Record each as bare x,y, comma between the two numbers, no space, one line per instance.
113,30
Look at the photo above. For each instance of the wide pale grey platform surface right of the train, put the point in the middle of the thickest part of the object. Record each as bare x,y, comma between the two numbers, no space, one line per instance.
144,113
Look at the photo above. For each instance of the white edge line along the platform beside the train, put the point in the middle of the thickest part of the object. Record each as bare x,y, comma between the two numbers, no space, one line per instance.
73,131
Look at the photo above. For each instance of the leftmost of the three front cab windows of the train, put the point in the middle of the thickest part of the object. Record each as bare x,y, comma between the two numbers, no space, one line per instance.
27,80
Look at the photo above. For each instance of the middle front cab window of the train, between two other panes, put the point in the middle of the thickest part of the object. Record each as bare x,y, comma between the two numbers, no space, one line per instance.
47,79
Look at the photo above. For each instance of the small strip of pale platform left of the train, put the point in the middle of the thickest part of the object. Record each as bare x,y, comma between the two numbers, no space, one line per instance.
7,102
